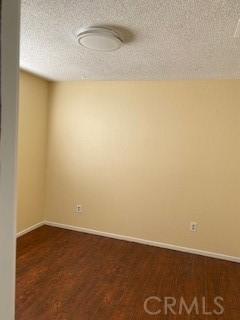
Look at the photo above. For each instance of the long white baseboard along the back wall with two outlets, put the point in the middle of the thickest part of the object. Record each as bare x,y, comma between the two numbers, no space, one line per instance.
146,242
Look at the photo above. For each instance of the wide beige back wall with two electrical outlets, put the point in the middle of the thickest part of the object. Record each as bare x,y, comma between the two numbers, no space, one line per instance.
146,158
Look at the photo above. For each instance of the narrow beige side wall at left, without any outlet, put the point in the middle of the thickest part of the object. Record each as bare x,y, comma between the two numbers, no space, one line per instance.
32,150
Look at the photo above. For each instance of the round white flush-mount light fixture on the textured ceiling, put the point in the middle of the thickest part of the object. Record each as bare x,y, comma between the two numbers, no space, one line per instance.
99,38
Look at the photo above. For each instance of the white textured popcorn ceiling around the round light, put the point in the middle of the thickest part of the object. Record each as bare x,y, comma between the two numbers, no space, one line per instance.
164,39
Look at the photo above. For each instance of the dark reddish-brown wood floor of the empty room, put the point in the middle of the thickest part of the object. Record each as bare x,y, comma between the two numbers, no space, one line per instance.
67,275
